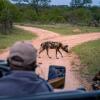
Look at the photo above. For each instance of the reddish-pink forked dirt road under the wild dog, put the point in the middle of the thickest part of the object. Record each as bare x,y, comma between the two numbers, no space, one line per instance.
71,81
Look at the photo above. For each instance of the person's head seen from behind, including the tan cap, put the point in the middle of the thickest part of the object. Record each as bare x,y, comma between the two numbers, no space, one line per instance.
22,56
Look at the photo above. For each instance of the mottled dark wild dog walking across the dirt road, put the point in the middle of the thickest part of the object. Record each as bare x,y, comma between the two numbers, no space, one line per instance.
53,45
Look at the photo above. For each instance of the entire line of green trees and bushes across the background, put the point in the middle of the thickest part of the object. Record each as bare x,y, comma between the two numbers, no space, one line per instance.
39,11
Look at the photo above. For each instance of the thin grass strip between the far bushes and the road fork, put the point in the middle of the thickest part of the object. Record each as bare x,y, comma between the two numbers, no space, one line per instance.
67,29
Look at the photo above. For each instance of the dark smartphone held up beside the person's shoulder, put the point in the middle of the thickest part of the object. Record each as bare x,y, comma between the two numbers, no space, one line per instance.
56,76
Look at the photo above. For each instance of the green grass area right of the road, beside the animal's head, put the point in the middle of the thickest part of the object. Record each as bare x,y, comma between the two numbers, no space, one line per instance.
89,54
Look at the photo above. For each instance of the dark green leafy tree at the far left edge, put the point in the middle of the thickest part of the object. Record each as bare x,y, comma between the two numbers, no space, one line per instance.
6,16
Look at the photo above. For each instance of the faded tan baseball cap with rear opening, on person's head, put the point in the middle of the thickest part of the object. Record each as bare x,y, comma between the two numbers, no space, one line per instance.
25,51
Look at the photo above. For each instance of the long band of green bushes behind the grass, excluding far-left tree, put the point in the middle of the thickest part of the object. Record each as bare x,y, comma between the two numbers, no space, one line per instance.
78,16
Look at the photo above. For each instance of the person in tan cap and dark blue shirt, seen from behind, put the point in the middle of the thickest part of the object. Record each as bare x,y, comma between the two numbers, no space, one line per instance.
22,79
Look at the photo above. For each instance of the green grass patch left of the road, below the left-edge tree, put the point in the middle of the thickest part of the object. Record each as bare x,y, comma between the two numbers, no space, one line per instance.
15,35
